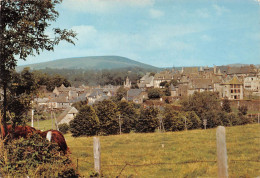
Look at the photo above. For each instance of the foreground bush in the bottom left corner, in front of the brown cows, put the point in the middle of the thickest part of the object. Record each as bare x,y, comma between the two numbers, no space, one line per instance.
34,157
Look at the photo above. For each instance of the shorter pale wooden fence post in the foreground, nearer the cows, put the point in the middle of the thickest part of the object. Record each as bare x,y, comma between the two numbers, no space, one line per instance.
97,158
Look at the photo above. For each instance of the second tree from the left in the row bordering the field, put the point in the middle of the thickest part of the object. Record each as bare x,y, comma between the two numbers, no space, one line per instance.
107,113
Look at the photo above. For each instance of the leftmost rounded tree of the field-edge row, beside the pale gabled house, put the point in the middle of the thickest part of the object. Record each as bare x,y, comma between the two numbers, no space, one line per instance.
85,123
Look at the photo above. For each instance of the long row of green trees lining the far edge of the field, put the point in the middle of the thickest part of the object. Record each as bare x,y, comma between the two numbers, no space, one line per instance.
106,117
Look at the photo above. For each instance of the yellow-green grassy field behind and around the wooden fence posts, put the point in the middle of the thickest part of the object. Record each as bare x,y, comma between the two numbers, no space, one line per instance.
171,154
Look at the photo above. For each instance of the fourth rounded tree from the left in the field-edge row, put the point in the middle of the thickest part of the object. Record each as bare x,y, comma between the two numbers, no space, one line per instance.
148,121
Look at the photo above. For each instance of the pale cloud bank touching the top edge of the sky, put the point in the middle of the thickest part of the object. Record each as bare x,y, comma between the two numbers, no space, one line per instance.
104,6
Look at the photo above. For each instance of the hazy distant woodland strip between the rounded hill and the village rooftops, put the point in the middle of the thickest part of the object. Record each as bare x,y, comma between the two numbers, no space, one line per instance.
78,77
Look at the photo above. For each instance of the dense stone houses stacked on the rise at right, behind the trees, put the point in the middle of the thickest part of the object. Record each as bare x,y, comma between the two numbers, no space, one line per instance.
235,83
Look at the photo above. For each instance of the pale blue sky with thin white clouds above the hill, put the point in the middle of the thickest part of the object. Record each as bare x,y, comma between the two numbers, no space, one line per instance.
162,33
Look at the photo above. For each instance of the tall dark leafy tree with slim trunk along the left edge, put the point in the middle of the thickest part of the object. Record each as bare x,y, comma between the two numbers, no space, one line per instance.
23,32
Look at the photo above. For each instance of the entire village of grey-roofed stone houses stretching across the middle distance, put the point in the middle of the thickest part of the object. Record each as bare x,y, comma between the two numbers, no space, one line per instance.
237,84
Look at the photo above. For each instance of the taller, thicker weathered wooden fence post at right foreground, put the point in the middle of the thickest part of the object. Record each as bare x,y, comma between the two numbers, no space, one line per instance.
222,152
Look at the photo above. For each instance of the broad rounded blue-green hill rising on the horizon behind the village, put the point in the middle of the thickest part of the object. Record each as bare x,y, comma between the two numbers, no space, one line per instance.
91,62
